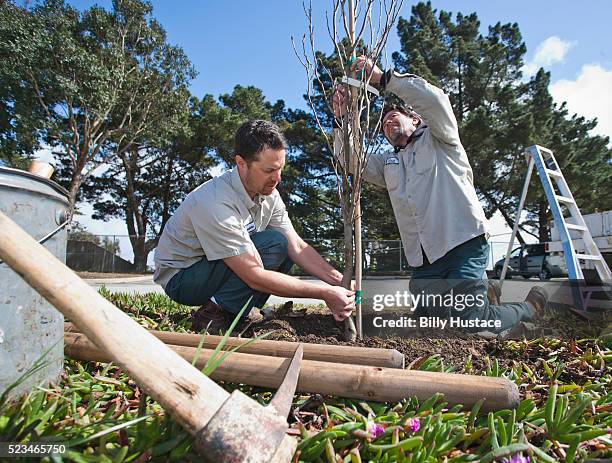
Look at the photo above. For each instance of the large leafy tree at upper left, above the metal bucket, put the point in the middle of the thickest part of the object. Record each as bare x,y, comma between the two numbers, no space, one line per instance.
94,83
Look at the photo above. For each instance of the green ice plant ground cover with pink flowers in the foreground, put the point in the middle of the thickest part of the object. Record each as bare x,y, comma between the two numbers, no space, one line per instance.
564,415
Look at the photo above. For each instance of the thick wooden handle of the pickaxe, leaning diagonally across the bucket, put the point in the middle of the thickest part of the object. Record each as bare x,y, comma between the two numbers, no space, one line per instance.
189,396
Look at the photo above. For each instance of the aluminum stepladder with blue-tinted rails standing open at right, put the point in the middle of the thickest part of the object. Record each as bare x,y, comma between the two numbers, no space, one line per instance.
550,175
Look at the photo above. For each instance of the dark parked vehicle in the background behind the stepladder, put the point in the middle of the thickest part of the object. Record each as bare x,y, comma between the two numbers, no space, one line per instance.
530,260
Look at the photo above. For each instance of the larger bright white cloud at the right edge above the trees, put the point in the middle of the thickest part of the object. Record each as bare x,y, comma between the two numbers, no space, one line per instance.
589,96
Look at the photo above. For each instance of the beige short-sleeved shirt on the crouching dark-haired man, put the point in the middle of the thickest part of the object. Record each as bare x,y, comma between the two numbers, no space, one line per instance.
216,220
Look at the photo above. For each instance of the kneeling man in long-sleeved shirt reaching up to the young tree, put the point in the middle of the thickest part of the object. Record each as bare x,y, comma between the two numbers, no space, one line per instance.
443,227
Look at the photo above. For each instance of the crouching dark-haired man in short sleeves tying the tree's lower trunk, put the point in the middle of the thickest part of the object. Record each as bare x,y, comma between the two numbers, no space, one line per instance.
231,240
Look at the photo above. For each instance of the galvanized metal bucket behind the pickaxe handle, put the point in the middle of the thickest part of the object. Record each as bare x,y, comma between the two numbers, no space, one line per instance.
31,330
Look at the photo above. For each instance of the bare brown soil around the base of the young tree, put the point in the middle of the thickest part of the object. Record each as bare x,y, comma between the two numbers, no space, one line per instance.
316,325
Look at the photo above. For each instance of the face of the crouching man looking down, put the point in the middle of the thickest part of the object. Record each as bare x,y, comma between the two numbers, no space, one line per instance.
263,173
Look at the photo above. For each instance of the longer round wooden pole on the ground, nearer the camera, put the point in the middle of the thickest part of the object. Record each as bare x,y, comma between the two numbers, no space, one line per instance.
355,381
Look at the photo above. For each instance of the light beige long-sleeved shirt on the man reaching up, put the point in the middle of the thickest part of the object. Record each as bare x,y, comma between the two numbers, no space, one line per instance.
430,181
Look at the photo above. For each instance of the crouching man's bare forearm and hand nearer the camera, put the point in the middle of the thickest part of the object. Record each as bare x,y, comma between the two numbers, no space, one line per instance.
249,269
